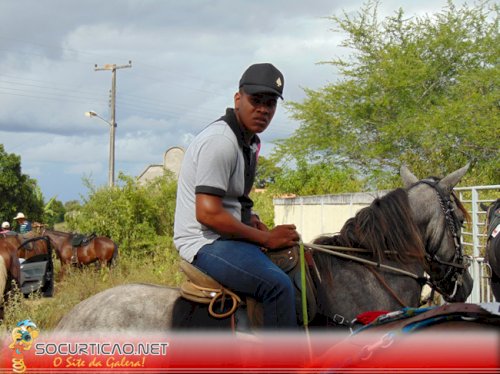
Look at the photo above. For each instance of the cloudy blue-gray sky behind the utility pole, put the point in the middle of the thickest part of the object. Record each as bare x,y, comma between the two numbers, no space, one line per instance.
187,58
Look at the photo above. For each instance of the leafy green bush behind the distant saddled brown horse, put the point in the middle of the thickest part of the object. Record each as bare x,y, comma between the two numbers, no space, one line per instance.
136,216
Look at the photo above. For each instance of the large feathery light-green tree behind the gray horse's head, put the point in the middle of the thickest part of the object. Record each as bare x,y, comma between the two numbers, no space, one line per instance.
423,91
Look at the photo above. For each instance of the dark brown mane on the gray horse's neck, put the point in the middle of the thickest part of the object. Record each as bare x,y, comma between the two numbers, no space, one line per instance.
386,228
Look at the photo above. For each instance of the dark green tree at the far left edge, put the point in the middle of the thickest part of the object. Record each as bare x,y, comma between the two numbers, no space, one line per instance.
19,192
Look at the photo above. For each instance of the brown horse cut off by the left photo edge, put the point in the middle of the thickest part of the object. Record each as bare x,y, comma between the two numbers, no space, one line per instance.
10,269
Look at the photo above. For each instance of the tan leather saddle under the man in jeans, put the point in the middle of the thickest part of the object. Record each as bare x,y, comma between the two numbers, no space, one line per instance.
201,288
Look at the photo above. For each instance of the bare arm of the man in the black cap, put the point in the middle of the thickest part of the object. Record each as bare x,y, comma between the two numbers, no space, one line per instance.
211,213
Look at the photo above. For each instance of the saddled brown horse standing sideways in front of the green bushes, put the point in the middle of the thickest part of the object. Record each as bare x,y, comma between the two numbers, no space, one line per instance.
98,249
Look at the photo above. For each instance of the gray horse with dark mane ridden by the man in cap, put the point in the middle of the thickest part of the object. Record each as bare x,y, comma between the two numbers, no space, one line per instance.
405,235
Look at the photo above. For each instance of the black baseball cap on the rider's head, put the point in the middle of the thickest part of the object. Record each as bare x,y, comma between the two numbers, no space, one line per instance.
262,78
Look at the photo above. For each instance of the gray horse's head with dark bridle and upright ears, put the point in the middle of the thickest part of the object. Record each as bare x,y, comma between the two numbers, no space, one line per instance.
439,216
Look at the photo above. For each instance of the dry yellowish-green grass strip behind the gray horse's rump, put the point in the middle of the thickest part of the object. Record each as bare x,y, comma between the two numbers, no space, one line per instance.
79,284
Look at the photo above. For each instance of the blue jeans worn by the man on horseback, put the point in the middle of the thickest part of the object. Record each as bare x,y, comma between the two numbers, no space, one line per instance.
244,268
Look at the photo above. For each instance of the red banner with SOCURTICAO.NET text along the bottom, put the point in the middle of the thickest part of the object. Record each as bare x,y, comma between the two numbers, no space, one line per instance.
268,352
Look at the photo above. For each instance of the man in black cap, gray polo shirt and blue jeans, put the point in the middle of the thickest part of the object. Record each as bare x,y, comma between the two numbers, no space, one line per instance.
214,226
